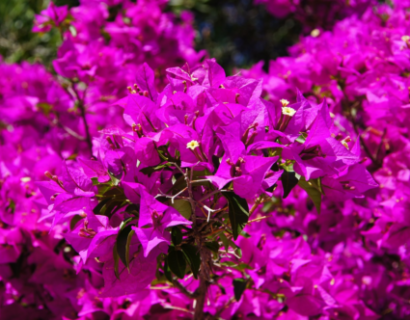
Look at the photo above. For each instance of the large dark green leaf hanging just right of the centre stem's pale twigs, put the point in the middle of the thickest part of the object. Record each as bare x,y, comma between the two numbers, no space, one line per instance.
238,212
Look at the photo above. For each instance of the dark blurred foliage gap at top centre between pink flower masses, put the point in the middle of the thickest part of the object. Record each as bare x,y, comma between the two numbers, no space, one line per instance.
237,33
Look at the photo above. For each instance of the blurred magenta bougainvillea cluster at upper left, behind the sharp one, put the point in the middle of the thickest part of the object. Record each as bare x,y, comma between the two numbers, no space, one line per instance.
104,43
